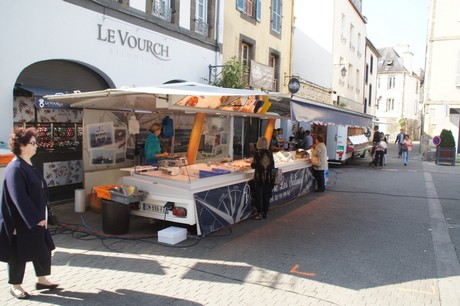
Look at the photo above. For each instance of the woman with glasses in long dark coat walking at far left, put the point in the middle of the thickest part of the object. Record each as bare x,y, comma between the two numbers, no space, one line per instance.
23,216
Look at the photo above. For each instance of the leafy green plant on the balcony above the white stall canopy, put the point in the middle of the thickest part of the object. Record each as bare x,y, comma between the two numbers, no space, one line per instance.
233,73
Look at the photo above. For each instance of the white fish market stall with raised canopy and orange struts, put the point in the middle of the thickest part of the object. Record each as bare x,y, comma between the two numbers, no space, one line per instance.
214,193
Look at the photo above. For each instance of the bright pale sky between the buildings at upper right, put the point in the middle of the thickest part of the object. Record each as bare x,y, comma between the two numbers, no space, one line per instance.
393,22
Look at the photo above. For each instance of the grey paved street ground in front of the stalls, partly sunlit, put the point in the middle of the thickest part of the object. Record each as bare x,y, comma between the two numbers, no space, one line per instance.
375,237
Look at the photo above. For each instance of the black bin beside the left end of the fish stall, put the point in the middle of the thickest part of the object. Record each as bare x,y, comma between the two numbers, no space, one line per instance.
115,217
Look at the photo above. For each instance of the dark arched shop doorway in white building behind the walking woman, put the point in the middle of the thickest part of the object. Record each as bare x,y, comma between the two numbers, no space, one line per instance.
59,152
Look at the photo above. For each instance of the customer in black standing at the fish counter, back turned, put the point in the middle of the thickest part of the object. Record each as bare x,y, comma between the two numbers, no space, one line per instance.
263,164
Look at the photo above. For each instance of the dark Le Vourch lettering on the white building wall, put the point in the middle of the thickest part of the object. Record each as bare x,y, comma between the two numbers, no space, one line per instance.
126,39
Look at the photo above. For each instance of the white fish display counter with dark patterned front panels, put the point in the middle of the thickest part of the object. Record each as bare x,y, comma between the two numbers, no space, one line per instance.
213,195
